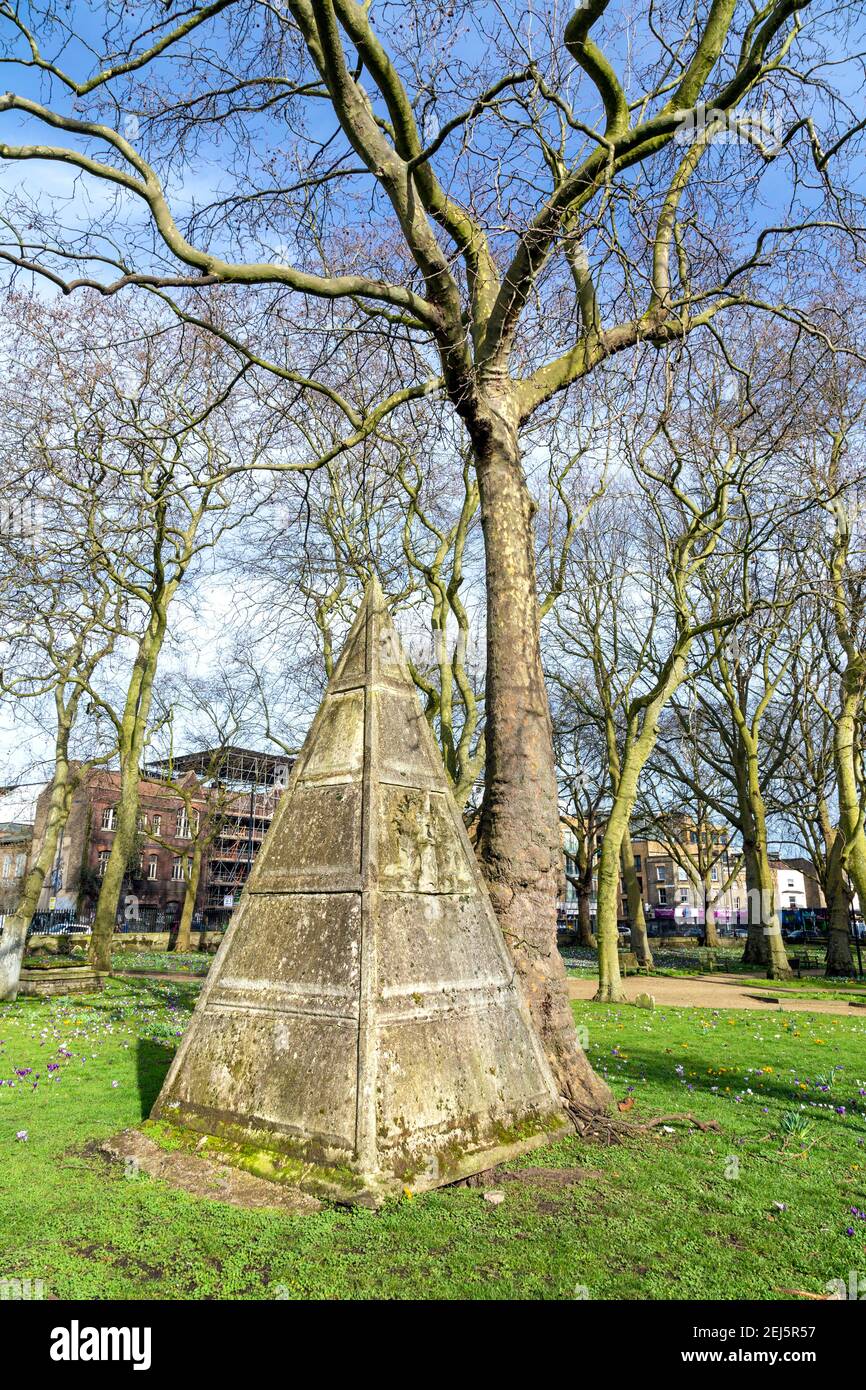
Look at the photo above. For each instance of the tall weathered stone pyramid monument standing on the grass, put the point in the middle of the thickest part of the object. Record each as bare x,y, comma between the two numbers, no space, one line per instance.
363,1014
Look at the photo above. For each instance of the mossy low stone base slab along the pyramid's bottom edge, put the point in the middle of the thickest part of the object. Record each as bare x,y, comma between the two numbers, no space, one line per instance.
341,1184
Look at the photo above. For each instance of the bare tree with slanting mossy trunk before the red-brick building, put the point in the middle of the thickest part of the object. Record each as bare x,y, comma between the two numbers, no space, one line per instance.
131,423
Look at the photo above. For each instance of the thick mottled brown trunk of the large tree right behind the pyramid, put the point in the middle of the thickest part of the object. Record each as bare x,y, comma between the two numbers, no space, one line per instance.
519,835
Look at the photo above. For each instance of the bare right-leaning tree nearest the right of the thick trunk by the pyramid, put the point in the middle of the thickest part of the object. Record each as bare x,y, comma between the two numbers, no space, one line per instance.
633,608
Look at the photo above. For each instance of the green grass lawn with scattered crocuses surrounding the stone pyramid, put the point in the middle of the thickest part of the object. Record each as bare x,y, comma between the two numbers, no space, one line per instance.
660,1218
